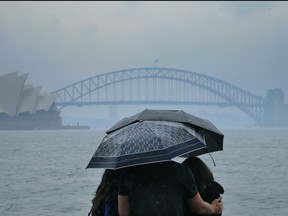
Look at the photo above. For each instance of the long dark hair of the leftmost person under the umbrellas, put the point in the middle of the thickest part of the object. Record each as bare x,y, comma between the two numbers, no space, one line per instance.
108,184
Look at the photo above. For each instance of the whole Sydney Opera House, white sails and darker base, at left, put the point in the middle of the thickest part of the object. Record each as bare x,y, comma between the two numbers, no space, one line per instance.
24,106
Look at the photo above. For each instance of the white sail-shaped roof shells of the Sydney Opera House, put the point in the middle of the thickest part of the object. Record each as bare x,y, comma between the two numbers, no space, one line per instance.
17,98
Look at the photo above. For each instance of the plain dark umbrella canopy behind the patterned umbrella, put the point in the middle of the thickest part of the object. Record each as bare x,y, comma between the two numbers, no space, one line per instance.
213,137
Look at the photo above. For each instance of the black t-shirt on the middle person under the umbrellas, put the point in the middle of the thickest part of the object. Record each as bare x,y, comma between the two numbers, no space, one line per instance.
158,189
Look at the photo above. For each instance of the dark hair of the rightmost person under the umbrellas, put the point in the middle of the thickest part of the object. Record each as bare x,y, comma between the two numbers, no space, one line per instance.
201,172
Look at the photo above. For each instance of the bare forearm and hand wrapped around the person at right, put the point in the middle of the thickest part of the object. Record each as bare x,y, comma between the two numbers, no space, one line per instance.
199,206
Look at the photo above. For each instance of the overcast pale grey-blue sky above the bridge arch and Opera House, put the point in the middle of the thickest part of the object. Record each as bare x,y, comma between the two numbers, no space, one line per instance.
58,43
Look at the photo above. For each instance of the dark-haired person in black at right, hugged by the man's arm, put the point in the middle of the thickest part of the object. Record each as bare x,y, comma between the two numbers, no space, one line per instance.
208,188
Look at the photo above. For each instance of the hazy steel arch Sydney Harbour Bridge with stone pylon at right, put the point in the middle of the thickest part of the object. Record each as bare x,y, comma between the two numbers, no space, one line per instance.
156,85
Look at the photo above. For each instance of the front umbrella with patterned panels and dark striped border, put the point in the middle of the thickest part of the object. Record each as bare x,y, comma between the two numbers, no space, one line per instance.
145,142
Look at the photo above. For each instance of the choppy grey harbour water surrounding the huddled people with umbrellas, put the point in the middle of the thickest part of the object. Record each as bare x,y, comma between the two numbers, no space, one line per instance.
43,172
